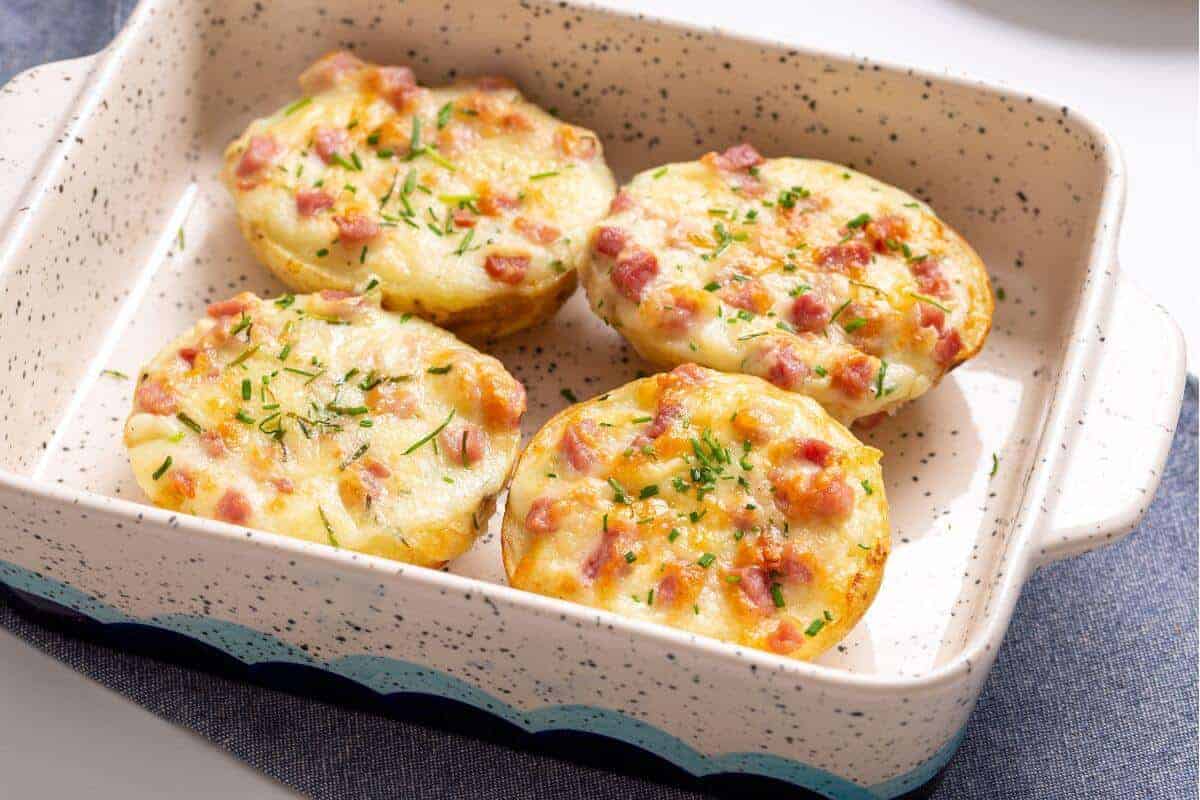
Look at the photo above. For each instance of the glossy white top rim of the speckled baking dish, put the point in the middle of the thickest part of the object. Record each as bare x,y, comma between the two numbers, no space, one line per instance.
1015,562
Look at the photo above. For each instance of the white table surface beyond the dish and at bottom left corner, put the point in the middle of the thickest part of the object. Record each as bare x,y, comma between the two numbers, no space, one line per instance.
1131,65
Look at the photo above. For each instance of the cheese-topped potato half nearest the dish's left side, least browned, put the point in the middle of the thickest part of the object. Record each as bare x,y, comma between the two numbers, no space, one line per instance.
327,419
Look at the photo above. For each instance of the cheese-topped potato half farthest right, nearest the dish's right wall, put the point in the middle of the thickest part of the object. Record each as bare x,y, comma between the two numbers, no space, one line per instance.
821,280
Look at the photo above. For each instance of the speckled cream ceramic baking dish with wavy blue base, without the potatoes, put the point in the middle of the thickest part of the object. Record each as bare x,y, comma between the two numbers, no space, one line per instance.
1048,444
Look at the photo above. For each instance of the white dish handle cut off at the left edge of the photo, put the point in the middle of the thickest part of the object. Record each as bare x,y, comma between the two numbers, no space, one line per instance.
34,111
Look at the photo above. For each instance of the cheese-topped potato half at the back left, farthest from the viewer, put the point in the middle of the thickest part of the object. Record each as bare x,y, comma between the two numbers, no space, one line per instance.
471,204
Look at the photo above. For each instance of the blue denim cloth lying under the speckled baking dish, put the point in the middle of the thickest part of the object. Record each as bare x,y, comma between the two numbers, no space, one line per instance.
1094,694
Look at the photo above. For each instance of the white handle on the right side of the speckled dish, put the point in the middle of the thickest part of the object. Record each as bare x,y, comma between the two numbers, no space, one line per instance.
1121,428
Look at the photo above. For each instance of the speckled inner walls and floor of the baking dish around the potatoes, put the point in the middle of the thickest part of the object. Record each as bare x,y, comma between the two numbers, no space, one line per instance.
141,237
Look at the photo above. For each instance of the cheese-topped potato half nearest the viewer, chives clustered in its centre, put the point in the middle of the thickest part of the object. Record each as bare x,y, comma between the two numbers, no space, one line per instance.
710,502
